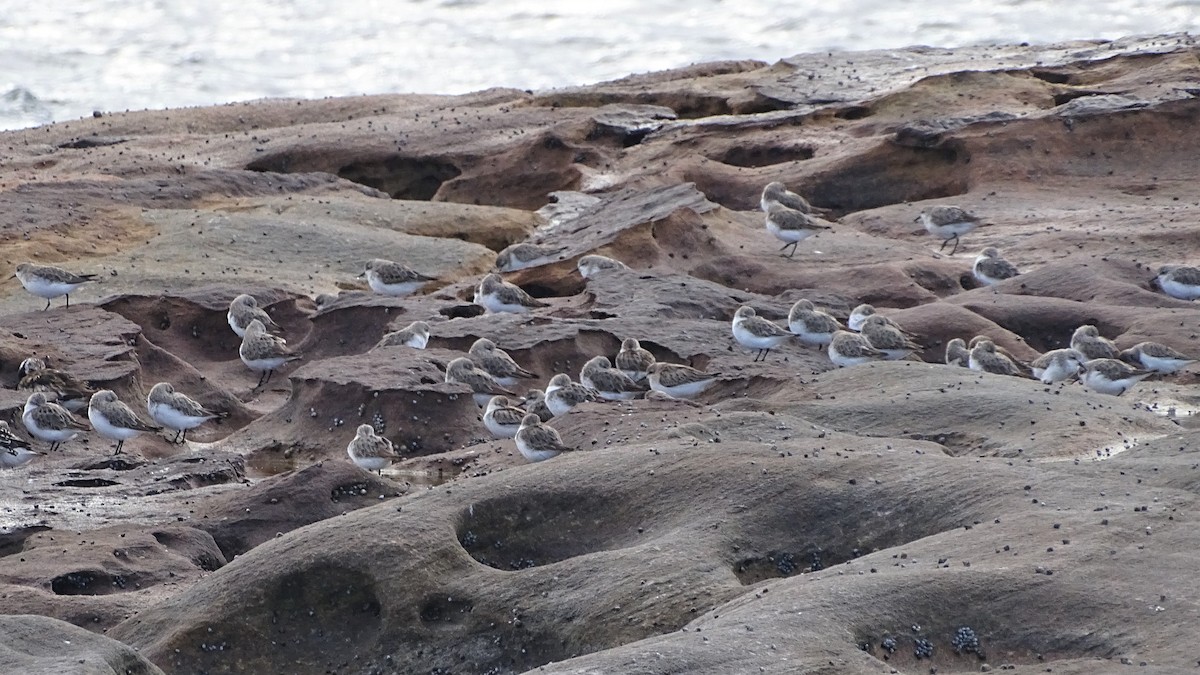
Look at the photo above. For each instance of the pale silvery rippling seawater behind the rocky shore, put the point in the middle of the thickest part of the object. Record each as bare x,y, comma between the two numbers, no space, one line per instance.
62,61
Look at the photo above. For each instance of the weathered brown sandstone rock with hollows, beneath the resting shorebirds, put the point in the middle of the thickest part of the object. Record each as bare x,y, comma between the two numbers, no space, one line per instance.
795,517
